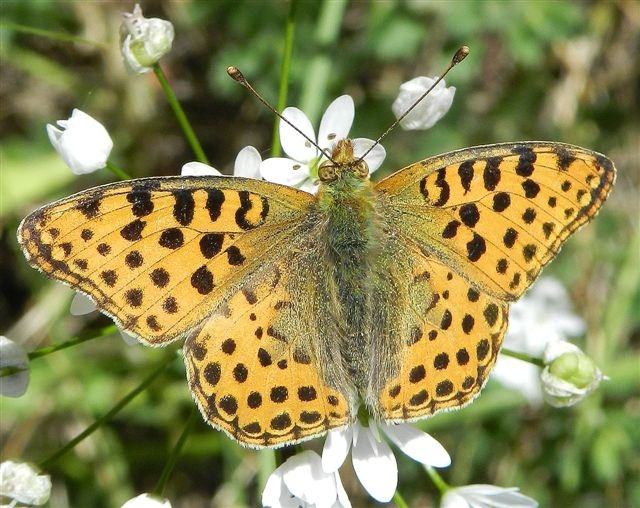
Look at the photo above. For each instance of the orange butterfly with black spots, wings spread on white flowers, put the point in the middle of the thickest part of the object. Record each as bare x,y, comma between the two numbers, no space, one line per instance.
300,310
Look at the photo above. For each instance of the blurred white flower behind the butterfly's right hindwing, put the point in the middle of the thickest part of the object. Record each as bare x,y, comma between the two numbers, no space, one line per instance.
540,317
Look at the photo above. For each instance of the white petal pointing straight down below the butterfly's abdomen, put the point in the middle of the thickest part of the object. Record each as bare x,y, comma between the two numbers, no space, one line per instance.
375,465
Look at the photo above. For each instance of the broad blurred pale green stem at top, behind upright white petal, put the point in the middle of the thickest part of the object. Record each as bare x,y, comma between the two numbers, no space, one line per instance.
321,68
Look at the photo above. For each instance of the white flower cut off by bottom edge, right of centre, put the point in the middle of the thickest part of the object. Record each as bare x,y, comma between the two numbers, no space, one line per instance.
486,496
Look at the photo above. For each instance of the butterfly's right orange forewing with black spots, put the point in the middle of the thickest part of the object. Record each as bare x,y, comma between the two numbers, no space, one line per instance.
497,214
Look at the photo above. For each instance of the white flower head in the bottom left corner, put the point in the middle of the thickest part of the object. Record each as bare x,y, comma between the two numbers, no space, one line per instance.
21,482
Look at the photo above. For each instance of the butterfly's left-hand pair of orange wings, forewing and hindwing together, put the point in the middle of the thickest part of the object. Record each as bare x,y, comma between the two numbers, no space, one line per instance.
226,260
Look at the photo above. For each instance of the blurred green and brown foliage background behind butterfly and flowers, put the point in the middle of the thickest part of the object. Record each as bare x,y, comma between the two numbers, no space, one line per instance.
566,71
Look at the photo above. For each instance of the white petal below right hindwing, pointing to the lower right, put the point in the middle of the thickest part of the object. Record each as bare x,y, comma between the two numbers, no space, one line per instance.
417,444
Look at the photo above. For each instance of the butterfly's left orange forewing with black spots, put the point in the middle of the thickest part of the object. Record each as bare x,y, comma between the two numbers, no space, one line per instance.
158,254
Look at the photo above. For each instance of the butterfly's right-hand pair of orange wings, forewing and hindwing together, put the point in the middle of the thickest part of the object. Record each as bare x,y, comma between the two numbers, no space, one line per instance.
478,224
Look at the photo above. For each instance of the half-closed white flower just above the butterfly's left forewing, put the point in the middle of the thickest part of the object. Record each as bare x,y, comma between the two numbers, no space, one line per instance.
83,143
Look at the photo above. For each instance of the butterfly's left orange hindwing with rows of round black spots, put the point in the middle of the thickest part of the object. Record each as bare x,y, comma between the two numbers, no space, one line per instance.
254,368
